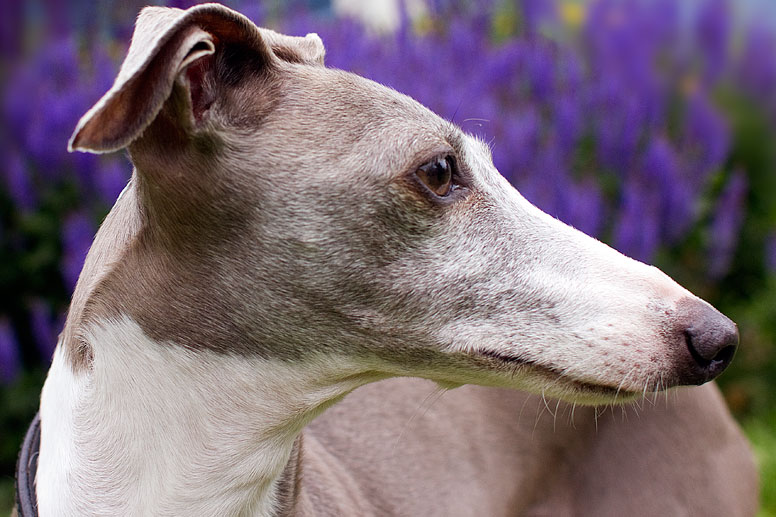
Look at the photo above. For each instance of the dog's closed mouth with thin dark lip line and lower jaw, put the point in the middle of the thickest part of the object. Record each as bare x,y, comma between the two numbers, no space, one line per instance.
556,379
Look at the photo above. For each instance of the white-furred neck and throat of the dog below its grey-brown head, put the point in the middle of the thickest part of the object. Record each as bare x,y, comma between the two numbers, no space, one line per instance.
154,428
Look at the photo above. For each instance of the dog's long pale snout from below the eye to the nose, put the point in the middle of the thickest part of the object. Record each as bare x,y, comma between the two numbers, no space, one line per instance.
555,300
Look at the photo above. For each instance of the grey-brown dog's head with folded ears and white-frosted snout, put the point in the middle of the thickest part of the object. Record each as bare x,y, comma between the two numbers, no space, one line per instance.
283,209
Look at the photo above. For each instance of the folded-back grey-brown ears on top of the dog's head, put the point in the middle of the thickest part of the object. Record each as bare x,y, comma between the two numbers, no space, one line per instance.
171,48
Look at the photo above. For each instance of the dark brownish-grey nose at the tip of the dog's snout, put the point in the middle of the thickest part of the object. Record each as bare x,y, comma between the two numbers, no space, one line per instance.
711,339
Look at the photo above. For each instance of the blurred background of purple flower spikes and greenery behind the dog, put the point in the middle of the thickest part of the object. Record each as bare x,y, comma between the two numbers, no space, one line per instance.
650,124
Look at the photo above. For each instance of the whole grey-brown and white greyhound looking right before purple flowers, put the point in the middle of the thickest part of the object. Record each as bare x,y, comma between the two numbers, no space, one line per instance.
291,233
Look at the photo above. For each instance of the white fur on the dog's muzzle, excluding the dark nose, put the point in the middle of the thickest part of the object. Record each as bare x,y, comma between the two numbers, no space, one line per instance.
606,331
